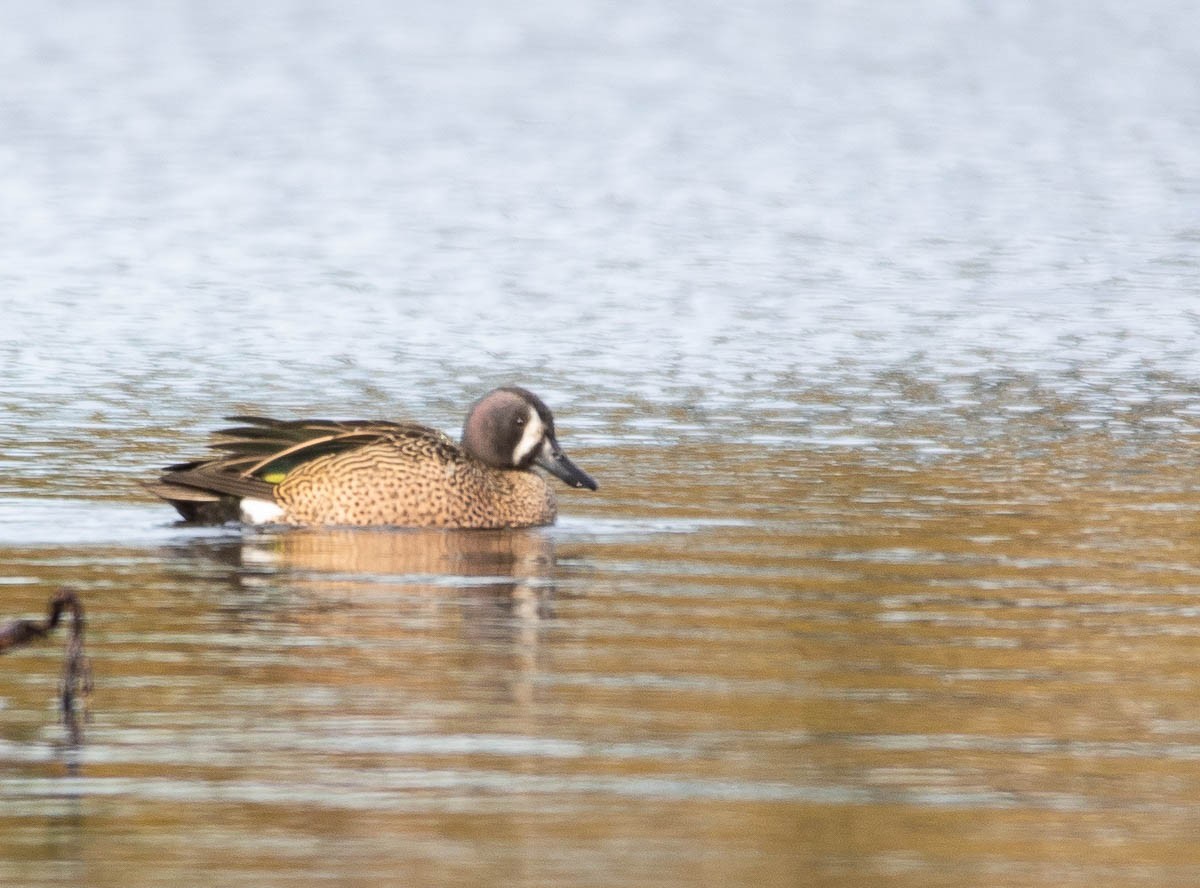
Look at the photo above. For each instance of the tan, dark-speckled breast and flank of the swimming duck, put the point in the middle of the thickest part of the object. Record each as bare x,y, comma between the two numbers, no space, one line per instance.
413,481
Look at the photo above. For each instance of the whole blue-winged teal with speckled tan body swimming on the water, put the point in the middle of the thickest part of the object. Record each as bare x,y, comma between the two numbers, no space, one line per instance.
367,473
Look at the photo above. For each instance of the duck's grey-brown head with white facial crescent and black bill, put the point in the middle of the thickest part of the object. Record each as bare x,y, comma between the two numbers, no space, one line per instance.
512,429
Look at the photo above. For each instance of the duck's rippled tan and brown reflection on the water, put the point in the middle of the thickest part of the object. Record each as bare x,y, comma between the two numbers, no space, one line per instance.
478,598
